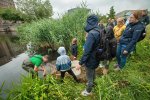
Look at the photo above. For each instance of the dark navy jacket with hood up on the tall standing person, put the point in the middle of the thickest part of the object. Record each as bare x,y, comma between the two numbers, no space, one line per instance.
91,43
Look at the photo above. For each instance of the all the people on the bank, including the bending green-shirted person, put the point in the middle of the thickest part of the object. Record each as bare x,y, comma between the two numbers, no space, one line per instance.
125,37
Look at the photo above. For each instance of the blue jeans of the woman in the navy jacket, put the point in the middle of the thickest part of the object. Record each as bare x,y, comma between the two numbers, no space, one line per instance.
121,58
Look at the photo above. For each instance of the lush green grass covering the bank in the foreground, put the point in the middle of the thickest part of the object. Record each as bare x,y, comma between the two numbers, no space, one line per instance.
132,83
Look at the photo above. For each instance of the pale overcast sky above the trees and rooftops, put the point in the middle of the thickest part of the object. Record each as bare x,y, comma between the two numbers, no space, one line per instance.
102,6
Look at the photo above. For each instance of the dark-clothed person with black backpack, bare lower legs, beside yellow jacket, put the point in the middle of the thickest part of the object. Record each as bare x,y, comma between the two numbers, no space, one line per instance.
109,48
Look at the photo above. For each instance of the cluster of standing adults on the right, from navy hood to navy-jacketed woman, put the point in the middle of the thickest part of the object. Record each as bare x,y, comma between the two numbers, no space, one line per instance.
126,37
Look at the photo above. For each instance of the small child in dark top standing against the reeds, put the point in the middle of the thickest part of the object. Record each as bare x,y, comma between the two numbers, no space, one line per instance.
74,49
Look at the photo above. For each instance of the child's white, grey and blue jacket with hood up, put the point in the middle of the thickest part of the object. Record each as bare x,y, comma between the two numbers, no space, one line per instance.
63,62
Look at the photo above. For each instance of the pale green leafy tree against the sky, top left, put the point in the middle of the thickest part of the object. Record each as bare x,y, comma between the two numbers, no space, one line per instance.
35,9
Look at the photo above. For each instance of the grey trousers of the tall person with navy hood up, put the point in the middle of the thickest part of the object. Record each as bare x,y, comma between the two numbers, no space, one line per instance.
90,74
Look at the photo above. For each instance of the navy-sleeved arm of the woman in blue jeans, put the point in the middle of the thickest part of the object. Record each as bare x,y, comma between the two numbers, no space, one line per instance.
136,35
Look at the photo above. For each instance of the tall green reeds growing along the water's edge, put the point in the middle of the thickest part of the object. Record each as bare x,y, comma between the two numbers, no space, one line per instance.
55,32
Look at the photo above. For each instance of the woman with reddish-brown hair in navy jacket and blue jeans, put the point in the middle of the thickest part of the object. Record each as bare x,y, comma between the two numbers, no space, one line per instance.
129,39
